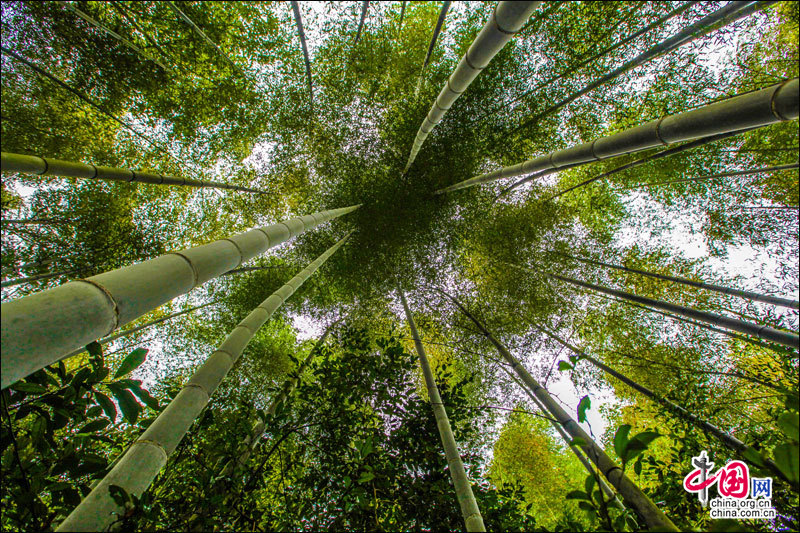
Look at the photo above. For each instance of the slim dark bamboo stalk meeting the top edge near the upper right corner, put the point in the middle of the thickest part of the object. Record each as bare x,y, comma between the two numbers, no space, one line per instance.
725,15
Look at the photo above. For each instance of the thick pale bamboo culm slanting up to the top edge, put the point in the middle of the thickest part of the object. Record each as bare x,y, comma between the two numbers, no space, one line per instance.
506,20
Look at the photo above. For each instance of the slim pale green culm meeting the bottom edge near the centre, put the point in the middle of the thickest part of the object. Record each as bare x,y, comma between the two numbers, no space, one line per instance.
466,499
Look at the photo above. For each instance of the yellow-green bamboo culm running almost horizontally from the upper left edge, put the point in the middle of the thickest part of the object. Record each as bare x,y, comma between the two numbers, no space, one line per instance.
40,166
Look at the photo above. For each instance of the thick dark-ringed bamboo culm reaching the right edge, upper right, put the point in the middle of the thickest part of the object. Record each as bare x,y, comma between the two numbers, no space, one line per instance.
778,103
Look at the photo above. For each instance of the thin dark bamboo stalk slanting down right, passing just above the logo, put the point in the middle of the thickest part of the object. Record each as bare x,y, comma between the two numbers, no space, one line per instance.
742,449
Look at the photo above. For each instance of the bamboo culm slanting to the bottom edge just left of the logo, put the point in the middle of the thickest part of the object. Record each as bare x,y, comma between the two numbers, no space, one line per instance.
638,500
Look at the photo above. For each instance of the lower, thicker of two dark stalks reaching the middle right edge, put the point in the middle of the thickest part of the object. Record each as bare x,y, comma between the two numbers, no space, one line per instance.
762,332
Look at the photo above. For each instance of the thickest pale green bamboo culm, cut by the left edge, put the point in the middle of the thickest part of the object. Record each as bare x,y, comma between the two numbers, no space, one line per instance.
39,329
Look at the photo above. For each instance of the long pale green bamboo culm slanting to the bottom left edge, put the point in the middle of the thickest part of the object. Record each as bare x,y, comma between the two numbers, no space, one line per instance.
137,468
